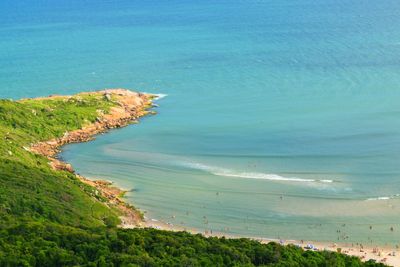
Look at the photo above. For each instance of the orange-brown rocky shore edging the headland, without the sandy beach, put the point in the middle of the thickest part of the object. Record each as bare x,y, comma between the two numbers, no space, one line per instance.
129,107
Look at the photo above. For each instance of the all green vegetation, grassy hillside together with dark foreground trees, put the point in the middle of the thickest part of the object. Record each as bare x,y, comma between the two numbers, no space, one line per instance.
50,218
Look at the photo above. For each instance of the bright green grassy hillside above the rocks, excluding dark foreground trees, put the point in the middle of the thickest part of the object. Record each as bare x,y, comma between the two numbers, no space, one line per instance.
30,189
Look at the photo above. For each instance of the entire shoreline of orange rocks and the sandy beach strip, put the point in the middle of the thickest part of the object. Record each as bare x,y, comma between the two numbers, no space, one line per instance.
130,106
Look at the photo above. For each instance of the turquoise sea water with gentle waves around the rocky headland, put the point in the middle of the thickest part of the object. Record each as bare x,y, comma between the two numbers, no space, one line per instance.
281,120
